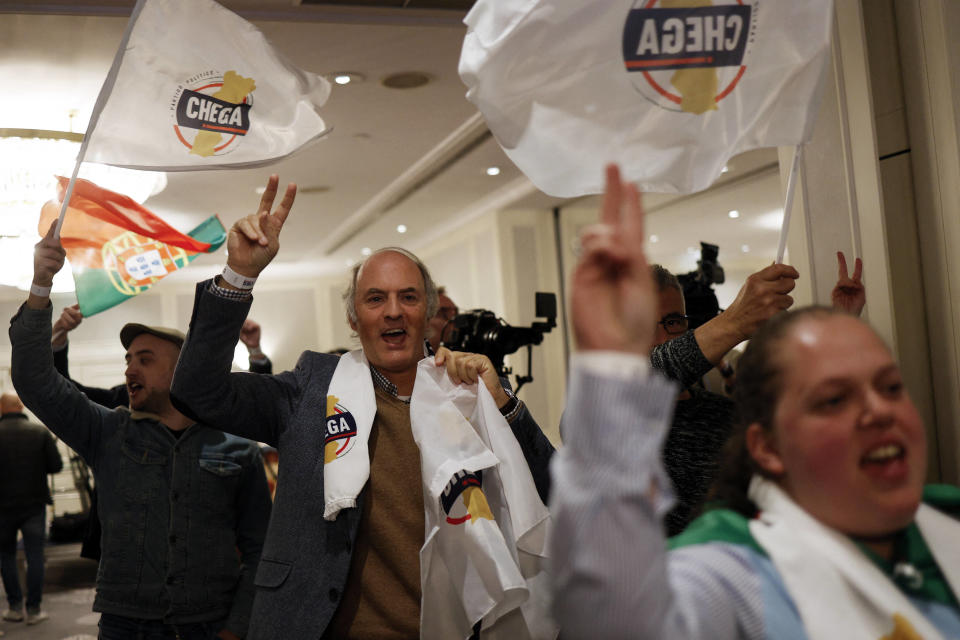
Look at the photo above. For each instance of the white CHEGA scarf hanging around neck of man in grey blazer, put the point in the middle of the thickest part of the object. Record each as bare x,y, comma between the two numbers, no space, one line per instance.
484,558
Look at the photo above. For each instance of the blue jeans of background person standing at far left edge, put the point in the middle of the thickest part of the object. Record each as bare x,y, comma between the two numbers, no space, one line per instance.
31,522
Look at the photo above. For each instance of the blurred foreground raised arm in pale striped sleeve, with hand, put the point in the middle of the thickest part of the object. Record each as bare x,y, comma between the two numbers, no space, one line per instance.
611,571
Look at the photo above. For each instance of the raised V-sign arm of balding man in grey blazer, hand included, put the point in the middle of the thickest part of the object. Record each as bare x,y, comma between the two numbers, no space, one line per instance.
248,405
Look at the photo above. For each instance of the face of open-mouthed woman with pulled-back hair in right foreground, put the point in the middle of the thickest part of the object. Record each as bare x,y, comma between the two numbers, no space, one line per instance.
848,443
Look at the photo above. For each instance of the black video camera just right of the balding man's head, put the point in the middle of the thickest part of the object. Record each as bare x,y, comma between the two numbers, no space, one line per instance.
481,331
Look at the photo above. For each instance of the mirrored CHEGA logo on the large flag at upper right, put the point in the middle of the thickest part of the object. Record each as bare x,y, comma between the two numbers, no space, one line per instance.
688,55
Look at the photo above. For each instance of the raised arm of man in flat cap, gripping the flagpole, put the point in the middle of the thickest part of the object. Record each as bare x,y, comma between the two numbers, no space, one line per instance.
53,399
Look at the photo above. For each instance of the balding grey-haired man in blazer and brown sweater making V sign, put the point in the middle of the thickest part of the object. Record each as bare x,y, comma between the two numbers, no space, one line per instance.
353,572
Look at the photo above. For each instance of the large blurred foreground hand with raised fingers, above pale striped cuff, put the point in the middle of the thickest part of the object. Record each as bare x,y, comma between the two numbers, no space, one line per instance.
614,301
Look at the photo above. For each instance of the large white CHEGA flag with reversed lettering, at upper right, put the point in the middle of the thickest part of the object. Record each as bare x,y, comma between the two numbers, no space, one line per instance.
668,89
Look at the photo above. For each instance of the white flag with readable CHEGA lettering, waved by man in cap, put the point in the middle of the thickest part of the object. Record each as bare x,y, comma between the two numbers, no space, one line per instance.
195,86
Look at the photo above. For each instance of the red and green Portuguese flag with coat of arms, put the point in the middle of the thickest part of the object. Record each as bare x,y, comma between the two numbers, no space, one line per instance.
117,248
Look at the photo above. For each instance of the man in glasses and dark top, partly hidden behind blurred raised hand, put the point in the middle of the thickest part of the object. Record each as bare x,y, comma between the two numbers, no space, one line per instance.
702,420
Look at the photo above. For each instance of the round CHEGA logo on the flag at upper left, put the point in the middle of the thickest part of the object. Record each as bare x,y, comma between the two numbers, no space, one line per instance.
211,112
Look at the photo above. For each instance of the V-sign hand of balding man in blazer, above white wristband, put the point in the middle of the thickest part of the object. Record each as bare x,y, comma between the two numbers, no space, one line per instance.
253,241
